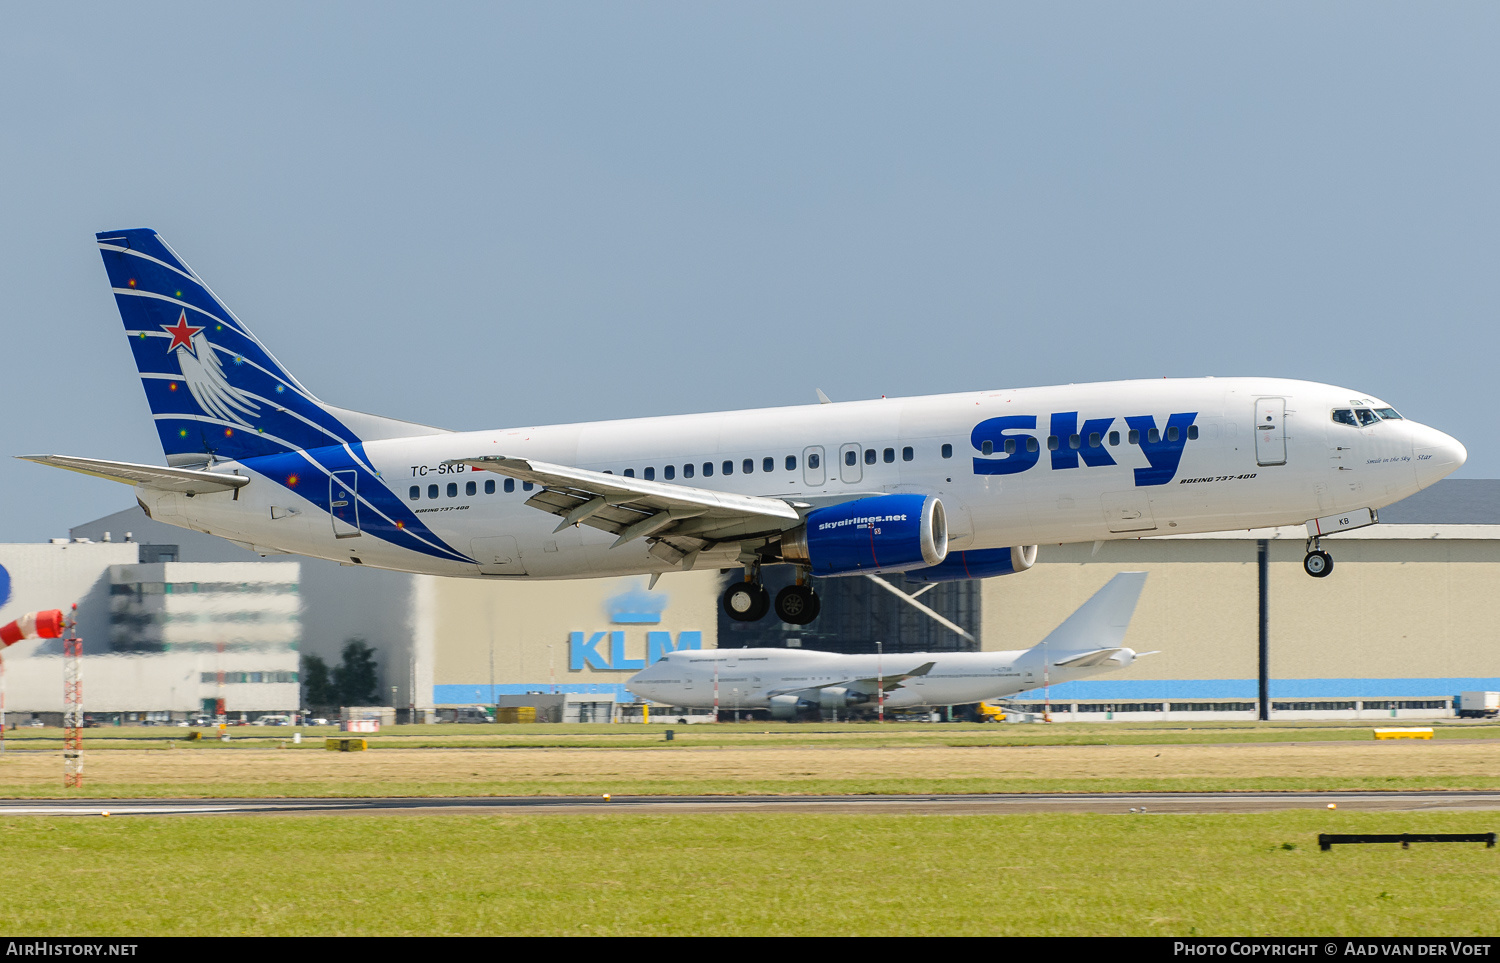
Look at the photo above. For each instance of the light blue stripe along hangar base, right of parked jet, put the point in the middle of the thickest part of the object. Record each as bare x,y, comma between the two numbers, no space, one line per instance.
1280,689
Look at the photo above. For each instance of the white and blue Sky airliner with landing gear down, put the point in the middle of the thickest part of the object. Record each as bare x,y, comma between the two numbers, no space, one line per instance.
949,487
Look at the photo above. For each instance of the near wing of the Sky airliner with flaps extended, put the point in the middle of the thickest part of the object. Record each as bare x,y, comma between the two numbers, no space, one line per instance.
680,521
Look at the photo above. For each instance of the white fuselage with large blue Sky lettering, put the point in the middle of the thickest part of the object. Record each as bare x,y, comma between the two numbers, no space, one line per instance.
1013,467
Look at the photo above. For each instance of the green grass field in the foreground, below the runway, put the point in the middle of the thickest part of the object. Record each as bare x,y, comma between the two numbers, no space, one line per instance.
751,875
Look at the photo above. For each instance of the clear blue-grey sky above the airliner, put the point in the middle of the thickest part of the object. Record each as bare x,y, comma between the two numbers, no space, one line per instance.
490,215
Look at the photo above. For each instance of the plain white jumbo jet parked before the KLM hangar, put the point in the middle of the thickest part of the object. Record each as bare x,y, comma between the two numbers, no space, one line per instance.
794,683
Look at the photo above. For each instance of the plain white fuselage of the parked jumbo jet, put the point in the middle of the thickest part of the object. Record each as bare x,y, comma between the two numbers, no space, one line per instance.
749,679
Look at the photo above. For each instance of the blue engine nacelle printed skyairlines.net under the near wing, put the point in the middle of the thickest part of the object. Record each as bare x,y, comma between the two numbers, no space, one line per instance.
884,533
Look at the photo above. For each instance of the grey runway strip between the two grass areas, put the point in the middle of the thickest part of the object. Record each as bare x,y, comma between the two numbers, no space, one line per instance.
955,805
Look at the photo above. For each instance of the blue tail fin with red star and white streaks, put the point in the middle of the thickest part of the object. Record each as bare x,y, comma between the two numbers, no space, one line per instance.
215,391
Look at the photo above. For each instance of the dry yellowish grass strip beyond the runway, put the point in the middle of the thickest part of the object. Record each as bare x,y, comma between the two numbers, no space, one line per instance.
742,760
